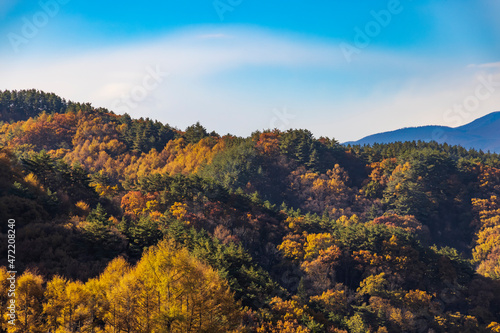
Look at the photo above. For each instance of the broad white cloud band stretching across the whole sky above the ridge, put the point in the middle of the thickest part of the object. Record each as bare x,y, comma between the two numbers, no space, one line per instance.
395,89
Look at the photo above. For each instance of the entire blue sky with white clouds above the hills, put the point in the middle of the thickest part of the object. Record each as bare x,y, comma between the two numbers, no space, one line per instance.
341,69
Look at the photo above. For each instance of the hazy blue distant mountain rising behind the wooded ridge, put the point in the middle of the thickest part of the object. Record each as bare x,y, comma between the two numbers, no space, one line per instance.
482,133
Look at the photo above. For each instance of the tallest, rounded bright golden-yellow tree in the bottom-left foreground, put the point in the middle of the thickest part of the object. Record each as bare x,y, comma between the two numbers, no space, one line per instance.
187,296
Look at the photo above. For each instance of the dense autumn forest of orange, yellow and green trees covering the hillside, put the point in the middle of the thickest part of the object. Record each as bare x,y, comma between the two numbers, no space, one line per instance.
131,225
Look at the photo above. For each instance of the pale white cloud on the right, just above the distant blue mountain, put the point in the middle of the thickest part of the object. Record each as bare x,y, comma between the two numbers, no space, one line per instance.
451,100
